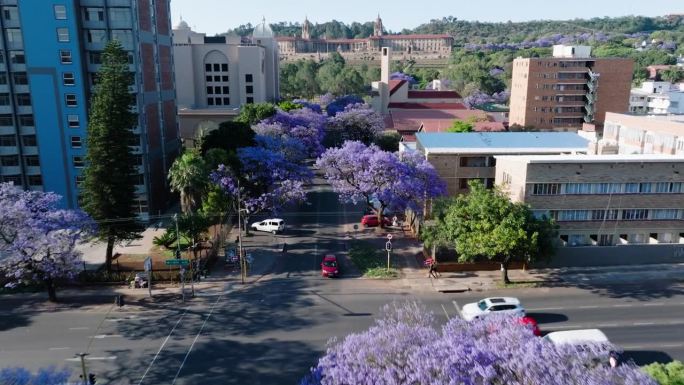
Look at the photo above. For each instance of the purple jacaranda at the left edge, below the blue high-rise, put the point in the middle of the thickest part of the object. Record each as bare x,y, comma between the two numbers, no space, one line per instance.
37,240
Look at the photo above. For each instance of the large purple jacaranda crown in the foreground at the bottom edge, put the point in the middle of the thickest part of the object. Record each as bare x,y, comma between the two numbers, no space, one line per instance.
404,347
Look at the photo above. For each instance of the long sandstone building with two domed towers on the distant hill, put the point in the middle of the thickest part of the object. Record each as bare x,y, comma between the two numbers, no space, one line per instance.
291,46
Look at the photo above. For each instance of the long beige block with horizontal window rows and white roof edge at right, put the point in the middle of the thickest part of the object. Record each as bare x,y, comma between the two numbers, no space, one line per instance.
602,200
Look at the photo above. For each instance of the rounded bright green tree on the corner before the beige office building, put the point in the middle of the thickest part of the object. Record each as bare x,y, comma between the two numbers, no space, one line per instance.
485,224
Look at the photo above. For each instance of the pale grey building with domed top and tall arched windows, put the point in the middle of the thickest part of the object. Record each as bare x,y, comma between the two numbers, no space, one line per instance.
217,75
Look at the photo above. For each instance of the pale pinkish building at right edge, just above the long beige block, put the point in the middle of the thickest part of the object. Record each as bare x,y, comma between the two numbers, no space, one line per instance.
632,134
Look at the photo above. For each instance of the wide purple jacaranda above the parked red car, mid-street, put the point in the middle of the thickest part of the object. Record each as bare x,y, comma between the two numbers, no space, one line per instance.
360,173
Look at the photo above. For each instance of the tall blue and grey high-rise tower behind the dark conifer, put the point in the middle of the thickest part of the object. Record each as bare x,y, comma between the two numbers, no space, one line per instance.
51,52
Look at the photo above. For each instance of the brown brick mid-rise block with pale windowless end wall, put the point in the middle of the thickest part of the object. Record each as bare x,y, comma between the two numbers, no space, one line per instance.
569,89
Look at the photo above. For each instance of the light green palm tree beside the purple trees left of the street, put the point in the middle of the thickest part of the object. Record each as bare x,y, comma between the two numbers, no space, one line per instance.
188,176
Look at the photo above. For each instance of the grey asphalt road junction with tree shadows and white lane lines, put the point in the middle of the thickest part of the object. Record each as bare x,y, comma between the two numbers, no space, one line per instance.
272,332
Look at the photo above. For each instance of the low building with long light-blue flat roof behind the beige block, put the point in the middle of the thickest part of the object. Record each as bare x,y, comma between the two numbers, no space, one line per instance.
461,157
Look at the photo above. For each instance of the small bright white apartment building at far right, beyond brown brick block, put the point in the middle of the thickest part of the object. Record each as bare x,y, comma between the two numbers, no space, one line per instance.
657,97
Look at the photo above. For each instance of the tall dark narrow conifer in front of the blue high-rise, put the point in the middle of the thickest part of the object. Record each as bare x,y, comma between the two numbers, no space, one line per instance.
110,173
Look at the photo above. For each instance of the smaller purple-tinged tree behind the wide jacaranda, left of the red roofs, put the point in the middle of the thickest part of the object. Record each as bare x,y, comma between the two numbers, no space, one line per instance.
358,122
